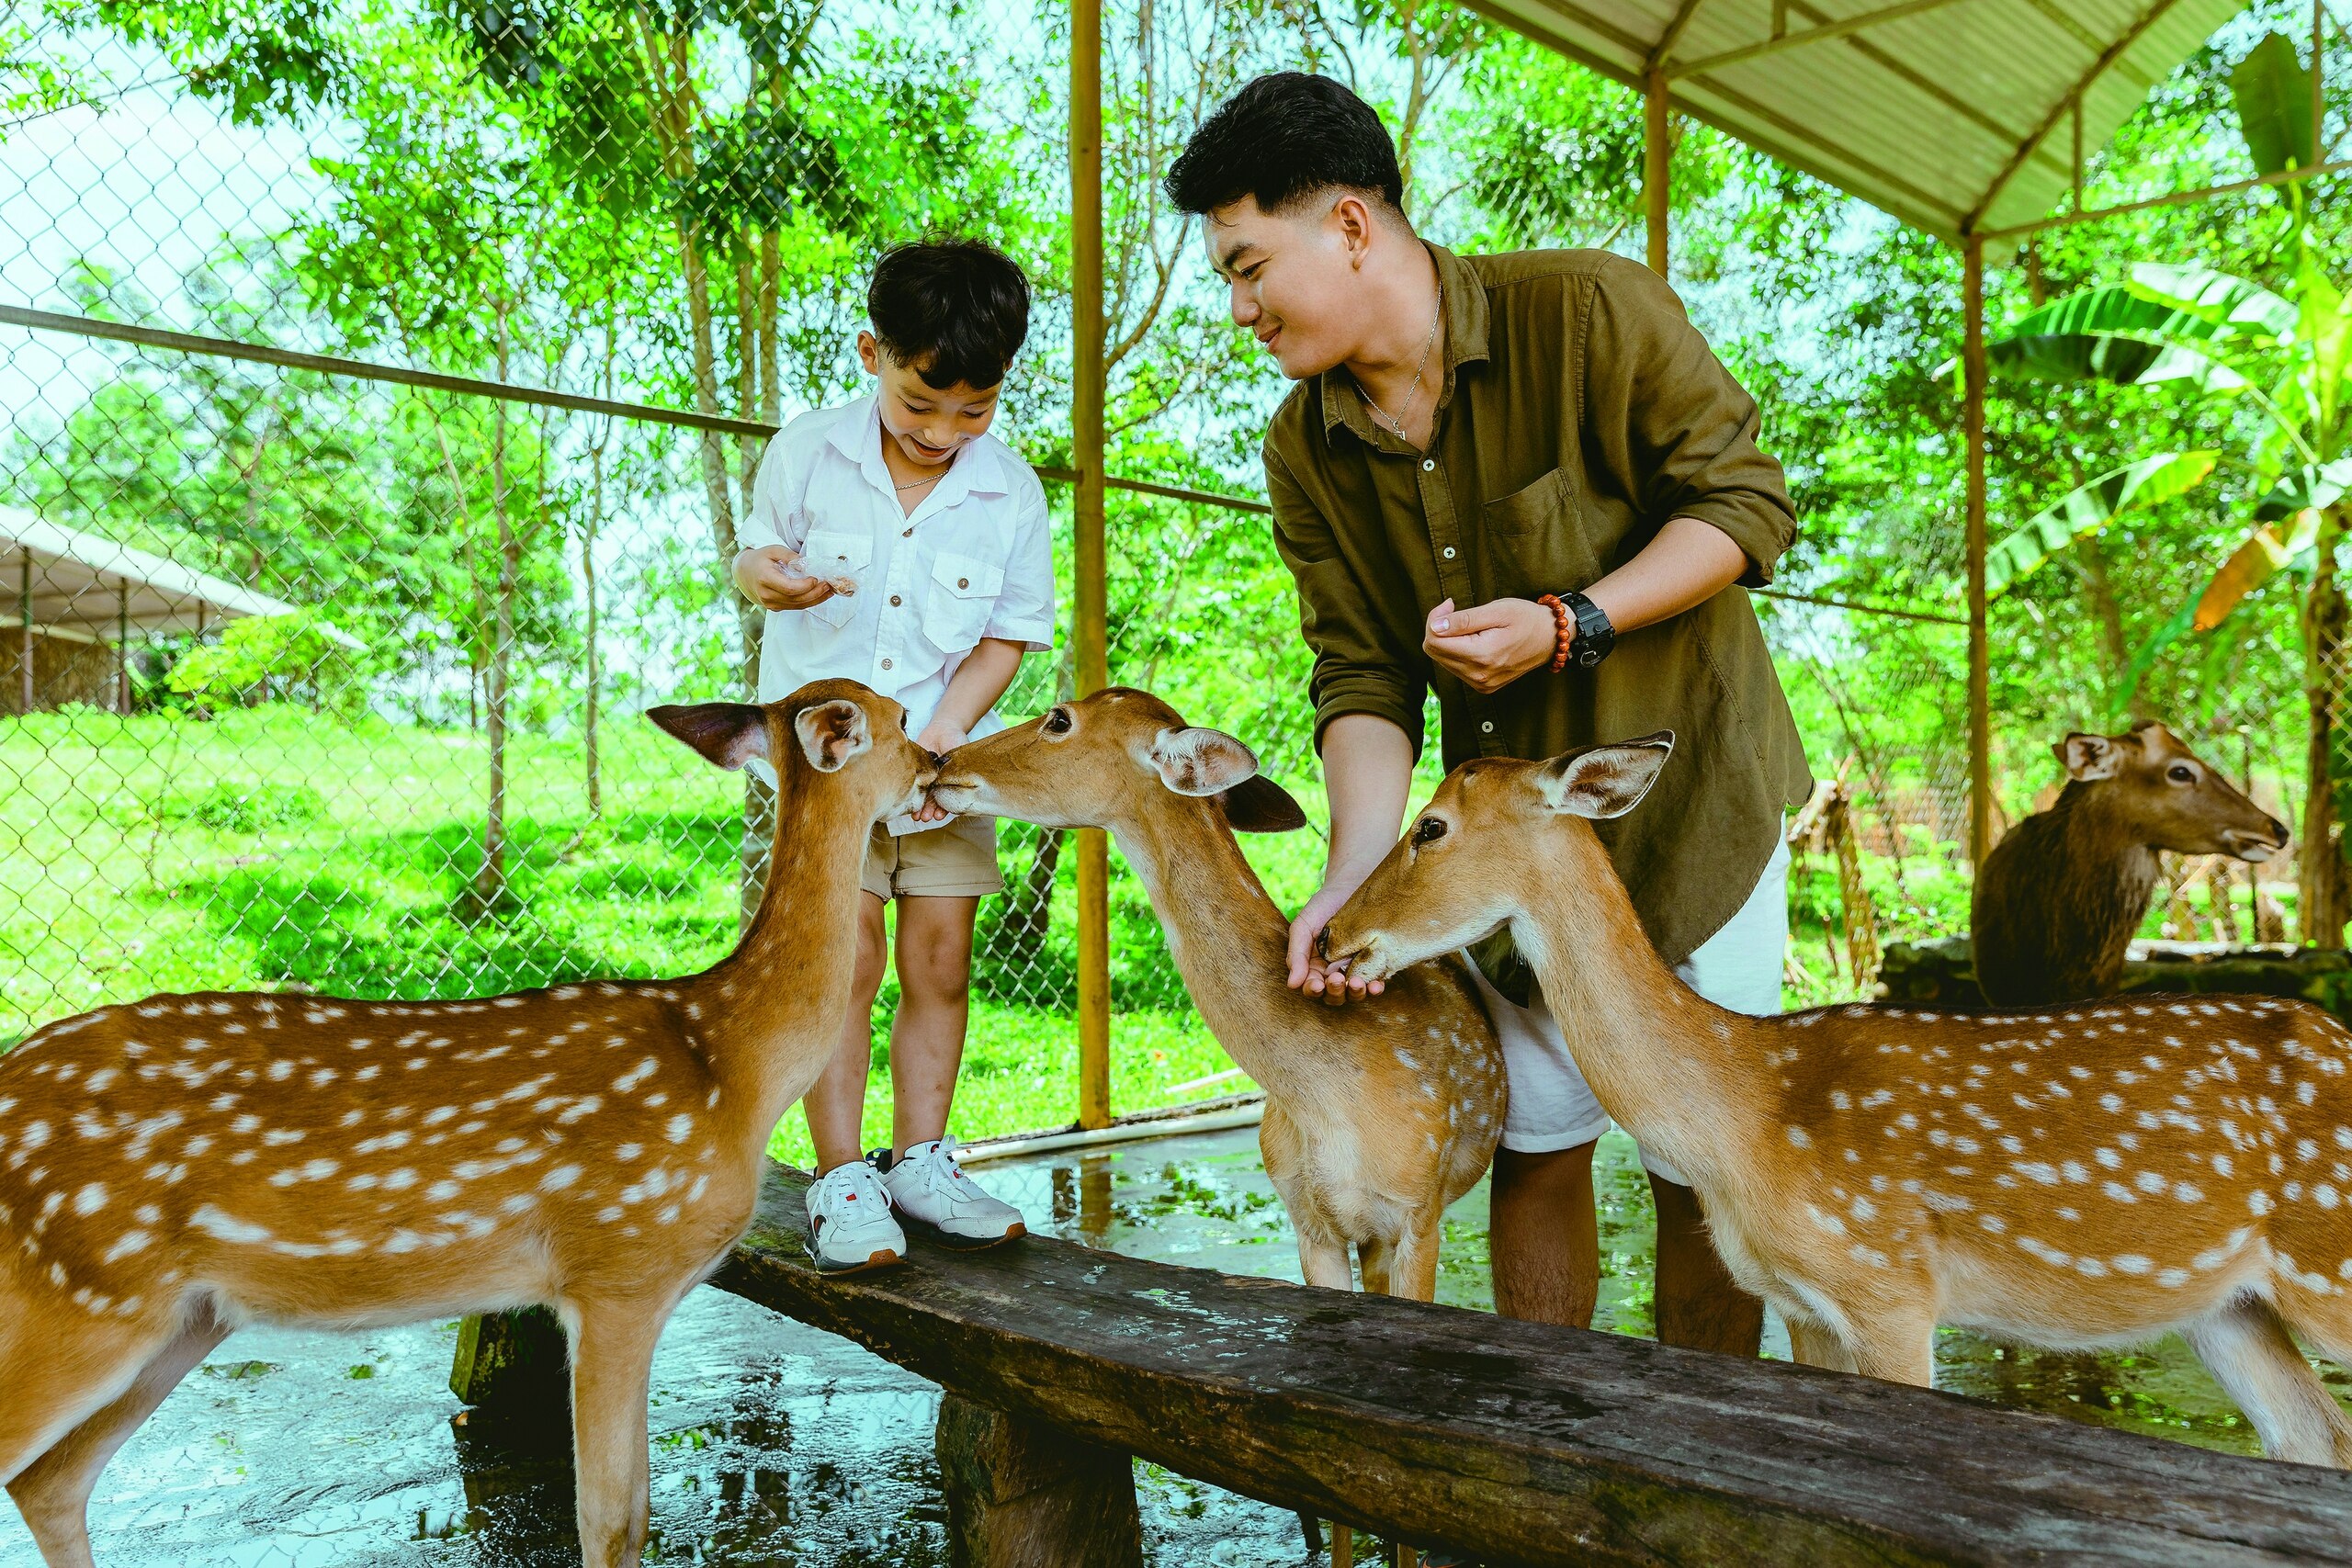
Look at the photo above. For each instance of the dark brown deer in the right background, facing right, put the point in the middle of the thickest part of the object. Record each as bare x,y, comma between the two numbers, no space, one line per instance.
2064,892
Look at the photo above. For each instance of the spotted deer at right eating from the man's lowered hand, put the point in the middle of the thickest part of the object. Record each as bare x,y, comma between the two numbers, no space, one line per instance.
2078,1179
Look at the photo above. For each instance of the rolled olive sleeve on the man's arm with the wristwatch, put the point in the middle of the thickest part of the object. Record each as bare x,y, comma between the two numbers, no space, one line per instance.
1671,422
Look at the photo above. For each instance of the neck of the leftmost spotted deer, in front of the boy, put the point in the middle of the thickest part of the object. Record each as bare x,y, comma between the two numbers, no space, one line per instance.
773,1010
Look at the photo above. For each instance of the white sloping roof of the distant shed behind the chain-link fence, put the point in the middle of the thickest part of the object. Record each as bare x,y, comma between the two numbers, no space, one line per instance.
83,587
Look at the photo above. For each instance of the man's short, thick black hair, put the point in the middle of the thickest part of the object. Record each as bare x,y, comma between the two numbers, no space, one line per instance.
1285,138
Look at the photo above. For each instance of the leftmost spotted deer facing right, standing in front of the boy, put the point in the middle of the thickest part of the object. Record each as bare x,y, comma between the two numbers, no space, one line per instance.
185,1165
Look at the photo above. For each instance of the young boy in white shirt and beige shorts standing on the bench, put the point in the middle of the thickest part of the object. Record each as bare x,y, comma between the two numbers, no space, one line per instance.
900,544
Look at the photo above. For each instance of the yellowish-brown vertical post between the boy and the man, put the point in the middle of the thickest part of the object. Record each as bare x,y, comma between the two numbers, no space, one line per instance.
1088,525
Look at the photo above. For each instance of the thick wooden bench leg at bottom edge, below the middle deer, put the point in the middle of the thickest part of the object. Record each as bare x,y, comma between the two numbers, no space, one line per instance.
1027,1496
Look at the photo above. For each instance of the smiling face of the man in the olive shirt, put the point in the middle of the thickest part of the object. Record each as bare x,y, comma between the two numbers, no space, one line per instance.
1292,276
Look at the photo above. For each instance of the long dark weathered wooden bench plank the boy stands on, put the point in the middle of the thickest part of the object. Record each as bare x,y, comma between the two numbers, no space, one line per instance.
1528,1445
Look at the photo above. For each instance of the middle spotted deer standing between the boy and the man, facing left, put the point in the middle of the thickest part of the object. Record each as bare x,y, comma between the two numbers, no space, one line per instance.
1375,1118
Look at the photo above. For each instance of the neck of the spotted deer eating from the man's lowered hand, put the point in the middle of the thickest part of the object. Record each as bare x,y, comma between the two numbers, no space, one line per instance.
1664,1061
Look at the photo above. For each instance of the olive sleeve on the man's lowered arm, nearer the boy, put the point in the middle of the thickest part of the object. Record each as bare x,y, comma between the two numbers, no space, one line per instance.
1358,664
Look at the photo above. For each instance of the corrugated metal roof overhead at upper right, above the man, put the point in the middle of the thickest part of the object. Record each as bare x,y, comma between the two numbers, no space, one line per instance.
1949,114
